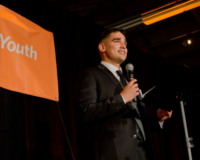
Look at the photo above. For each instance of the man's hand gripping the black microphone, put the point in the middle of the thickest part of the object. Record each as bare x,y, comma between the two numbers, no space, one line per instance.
130,91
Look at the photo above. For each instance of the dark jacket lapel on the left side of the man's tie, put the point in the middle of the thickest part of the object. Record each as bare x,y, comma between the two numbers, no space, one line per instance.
114,80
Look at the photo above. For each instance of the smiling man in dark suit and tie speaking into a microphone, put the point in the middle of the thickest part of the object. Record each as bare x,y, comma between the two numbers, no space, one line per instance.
117,127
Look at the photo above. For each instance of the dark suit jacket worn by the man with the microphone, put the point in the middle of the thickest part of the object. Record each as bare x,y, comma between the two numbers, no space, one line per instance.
111,128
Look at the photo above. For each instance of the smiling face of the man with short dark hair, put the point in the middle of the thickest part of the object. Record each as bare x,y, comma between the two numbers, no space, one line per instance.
115,48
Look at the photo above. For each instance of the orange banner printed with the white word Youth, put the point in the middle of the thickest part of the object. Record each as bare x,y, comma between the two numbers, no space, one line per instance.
27,57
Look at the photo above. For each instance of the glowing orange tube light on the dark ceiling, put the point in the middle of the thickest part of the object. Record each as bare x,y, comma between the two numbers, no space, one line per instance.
171,12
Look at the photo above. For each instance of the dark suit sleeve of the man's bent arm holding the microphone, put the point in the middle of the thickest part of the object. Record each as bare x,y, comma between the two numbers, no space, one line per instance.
89,109
